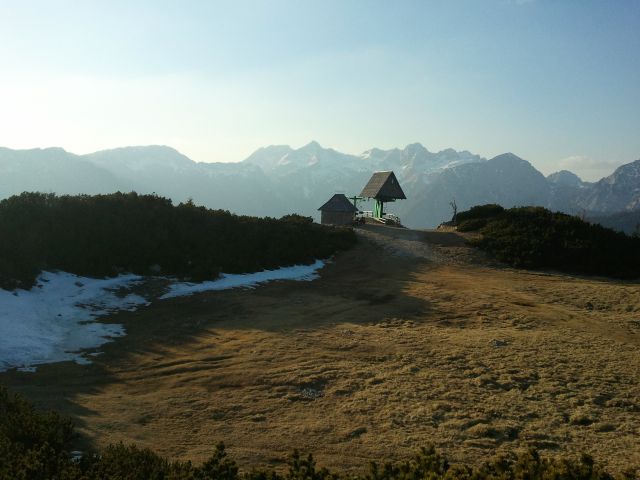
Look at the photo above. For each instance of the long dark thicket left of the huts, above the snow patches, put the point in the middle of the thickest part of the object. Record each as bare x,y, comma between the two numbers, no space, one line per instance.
103,235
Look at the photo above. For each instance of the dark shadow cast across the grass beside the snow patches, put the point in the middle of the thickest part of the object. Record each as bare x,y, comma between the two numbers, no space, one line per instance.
361,286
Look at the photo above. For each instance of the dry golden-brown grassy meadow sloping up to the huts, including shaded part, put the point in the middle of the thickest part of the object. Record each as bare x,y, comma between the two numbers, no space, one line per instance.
410,339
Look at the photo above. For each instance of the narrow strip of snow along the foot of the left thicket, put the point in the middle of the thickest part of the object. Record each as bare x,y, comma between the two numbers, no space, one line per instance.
246,280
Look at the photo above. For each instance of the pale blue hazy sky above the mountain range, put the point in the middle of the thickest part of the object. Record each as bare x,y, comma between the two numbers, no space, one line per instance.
556,82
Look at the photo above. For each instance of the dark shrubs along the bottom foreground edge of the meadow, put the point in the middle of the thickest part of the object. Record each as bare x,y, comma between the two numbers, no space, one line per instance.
36,446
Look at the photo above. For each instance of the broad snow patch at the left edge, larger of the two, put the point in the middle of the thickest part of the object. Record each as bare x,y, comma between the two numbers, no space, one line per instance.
53,321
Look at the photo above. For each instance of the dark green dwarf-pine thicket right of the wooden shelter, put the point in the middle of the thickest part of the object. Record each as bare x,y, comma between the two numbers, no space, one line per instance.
534,237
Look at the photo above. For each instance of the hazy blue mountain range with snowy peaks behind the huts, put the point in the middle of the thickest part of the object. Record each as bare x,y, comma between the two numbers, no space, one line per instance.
278,179
